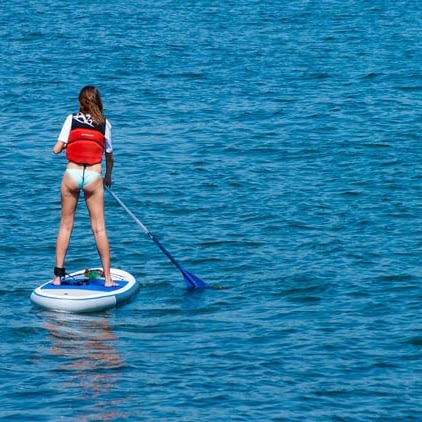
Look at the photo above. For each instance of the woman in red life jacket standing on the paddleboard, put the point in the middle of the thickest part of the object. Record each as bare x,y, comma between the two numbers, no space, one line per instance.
85,136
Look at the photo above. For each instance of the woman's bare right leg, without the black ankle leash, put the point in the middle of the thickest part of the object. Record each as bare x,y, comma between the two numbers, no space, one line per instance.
94,198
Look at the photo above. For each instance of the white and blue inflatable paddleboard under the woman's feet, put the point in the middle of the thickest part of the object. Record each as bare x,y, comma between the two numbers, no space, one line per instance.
85,292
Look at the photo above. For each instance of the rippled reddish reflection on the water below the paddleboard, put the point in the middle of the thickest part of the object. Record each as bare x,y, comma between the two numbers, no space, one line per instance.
83,347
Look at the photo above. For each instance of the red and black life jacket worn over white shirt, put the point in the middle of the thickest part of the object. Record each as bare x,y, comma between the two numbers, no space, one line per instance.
86,142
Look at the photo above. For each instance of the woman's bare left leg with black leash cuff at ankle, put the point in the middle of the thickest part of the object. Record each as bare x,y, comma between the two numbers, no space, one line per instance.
70,196
